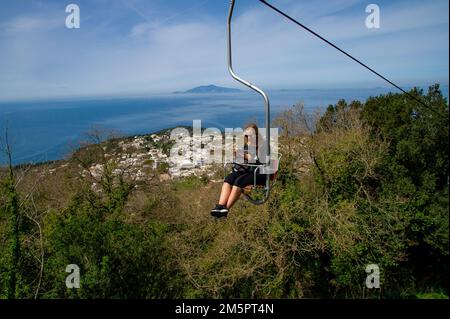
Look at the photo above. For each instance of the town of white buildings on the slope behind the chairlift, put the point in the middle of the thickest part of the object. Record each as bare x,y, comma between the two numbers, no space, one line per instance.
141,157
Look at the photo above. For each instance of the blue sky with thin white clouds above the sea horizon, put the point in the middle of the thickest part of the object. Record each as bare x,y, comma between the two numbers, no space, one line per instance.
127,47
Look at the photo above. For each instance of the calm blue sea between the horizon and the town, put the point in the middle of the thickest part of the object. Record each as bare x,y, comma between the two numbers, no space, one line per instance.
47,130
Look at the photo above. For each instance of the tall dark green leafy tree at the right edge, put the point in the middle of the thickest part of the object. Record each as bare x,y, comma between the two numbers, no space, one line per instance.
415,173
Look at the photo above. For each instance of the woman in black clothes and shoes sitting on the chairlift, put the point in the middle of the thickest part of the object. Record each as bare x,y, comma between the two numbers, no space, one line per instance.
241,176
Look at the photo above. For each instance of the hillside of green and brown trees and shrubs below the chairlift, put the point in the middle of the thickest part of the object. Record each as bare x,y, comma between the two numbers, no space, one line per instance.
366,184
